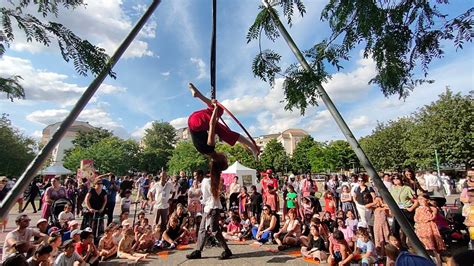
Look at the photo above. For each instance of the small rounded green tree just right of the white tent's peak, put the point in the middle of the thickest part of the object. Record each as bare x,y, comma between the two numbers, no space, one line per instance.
274,157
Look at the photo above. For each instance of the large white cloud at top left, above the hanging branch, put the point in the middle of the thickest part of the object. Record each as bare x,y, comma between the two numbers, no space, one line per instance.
105,29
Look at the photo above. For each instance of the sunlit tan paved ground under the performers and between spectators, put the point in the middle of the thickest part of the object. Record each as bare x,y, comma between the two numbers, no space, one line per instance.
244,252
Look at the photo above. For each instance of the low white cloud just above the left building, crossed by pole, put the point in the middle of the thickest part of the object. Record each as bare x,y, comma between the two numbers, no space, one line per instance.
95,116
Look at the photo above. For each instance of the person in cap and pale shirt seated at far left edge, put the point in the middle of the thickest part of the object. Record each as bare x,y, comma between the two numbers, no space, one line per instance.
21,233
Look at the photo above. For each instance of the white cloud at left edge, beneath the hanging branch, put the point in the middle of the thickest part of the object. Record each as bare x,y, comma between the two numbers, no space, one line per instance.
42,85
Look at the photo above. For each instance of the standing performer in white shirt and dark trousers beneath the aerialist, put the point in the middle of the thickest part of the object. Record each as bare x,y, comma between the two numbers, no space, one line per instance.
210,221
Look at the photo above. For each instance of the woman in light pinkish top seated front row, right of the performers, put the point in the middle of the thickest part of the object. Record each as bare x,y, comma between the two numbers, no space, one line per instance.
289,234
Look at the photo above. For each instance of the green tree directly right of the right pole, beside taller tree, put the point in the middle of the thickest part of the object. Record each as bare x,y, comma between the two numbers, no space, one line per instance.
386,147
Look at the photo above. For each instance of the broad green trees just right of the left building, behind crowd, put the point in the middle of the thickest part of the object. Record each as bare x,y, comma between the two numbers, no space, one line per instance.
110,154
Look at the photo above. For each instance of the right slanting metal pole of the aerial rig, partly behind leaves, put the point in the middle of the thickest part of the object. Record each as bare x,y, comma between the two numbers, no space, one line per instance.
365,162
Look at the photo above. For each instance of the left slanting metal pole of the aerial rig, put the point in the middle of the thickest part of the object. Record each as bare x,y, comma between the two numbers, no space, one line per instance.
38,161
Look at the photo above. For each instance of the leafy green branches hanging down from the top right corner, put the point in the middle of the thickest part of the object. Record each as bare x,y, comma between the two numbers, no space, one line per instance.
397,35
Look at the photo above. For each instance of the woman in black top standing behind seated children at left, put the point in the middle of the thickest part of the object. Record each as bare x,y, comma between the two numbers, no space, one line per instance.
96,201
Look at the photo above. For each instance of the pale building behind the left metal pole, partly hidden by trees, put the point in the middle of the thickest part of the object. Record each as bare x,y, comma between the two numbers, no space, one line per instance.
66,142
